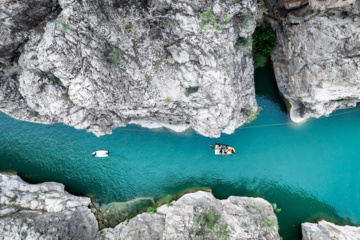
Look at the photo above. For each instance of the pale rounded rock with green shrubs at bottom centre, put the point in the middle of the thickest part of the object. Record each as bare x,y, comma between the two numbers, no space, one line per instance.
241,217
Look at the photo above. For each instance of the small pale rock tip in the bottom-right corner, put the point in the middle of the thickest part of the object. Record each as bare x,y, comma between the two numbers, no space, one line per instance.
328,231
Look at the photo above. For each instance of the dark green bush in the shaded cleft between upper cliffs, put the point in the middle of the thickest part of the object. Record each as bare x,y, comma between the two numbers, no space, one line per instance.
264,40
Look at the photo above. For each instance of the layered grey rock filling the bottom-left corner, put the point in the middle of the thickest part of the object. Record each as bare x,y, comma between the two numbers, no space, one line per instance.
43,211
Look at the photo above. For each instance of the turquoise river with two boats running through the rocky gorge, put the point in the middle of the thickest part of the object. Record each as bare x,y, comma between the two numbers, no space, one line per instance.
311,170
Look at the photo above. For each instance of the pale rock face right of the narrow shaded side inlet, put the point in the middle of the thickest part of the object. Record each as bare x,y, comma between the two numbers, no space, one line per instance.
317,59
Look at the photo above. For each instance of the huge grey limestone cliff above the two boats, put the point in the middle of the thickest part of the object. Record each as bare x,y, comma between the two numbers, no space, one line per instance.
97,65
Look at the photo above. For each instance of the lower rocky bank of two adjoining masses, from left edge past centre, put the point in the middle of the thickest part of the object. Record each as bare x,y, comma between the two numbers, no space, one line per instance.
46,211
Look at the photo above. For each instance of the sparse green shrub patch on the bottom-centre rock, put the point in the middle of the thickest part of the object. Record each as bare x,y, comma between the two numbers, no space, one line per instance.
209,227
